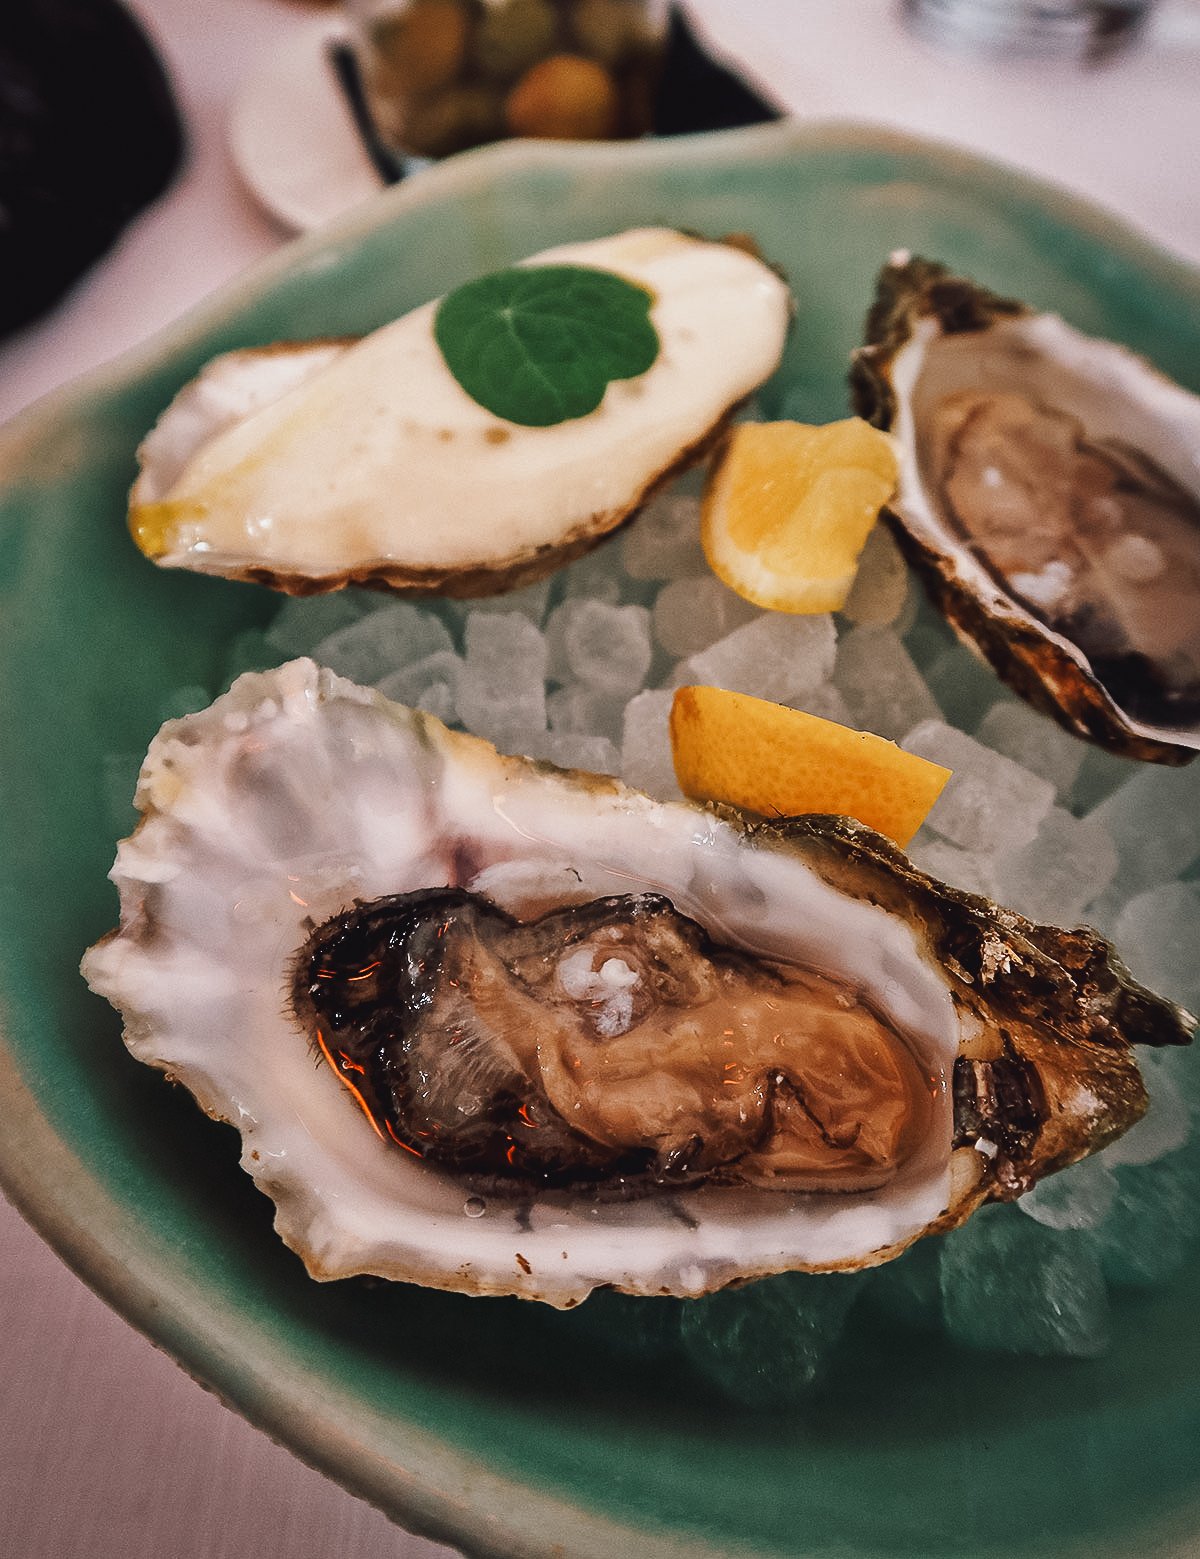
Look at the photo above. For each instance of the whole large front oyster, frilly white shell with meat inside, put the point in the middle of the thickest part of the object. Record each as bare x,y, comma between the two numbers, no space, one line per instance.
298,799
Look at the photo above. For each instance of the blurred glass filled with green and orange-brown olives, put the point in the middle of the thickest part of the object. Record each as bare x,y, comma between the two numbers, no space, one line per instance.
443,76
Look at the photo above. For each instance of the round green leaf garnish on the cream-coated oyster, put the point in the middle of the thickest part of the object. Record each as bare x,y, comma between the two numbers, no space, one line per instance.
542,344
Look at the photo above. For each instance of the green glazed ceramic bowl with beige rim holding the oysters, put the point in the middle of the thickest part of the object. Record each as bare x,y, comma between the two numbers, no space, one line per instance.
495,1424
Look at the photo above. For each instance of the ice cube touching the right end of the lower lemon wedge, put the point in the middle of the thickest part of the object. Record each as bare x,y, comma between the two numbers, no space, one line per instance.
990,804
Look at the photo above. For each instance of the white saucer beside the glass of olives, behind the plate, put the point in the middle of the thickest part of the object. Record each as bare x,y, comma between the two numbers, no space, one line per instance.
292,135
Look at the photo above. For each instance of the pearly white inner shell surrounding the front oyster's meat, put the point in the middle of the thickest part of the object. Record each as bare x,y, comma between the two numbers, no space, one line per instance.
298,794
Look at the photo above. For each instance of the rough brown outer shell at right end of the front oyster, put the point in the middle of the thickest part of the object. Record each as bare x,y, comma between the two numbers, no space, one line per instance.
1051,1013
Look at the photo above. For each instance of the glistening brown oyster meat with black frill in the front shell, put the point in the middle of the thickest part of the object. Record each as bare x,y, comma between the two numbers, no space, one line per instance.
610,1047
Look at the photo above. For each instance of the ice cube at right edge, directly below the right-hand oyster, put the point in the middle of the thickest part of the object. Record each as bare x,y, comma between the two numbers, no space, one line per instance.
1154,821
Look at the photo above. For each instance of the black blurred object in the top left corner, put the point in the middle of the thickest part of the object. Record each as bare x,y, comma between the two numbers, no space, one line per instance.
90,135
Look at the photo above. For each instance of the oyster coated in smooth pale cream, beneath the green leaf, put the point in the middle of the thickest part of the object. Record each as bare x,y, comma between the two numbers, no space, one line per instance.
314,465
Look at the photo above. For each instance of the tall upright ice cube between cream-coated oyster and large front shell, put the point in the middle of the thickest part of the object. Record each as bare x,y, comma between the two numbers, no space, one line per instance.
503,684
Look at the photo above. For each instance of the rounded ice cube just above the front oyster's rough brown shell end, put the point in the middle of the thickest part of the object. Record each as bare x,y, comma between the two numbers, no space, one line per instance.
1068,864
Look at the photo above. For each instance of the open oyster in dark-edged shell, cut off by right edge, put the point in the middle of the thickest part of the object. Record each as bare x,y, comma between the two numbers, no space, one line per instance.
1051,498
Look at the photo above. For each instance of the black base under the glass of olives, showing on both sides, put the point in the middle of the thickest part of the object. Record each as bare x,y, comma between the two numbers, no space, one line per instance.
696,93
